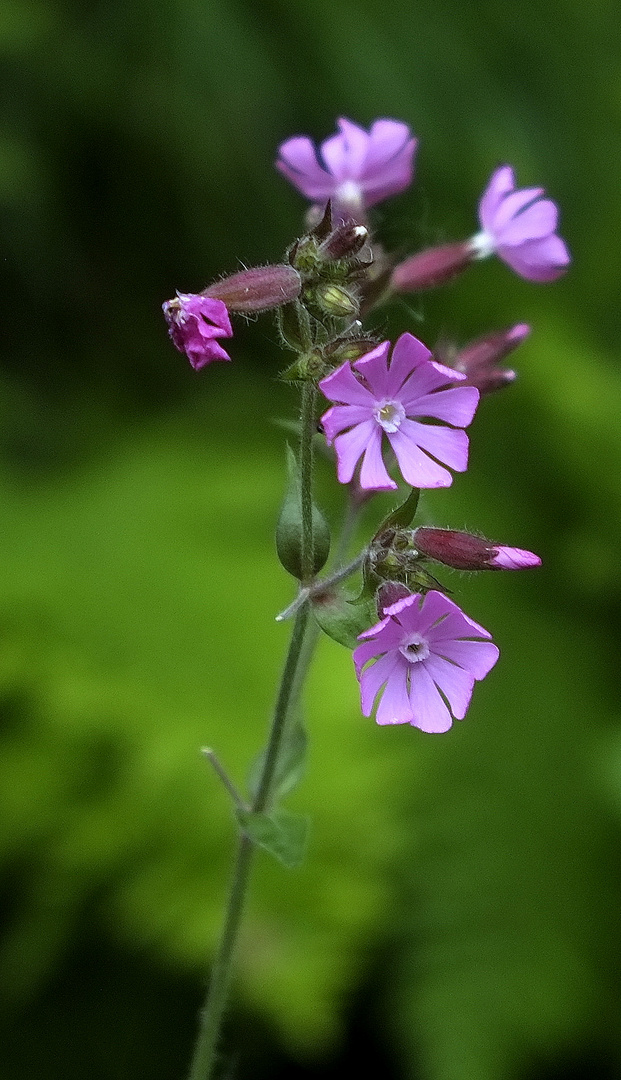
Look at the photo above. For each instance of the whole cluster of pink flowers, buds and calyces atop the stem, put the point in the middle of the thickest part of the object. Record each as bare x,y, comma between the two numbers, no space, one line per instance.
397,413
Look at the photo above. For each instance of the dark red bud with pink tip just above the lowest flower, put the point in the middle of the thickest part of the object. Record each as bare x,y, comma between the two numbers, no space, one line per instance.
467,552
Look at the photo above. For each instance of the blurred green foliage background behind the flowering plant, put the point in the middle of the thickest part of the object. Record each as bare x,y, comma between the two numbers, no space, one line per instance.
460,914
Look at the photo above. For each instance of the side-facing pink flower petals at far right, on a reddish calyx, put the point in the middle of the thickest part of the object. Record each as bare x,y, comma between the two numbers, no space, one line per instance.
521,228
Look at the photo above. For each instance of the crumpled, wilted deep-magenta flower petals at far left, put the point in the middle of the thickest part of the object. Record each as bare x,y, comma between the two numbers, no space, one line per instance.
195,322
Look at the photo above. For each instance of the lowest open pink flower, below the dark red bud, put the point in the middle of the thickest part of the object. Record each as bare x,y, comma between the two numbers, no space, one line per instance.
428,655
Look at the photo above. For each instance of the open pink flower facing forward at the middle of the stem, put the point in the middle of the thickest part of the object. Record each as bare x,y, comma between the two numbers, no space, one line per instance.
395,401
